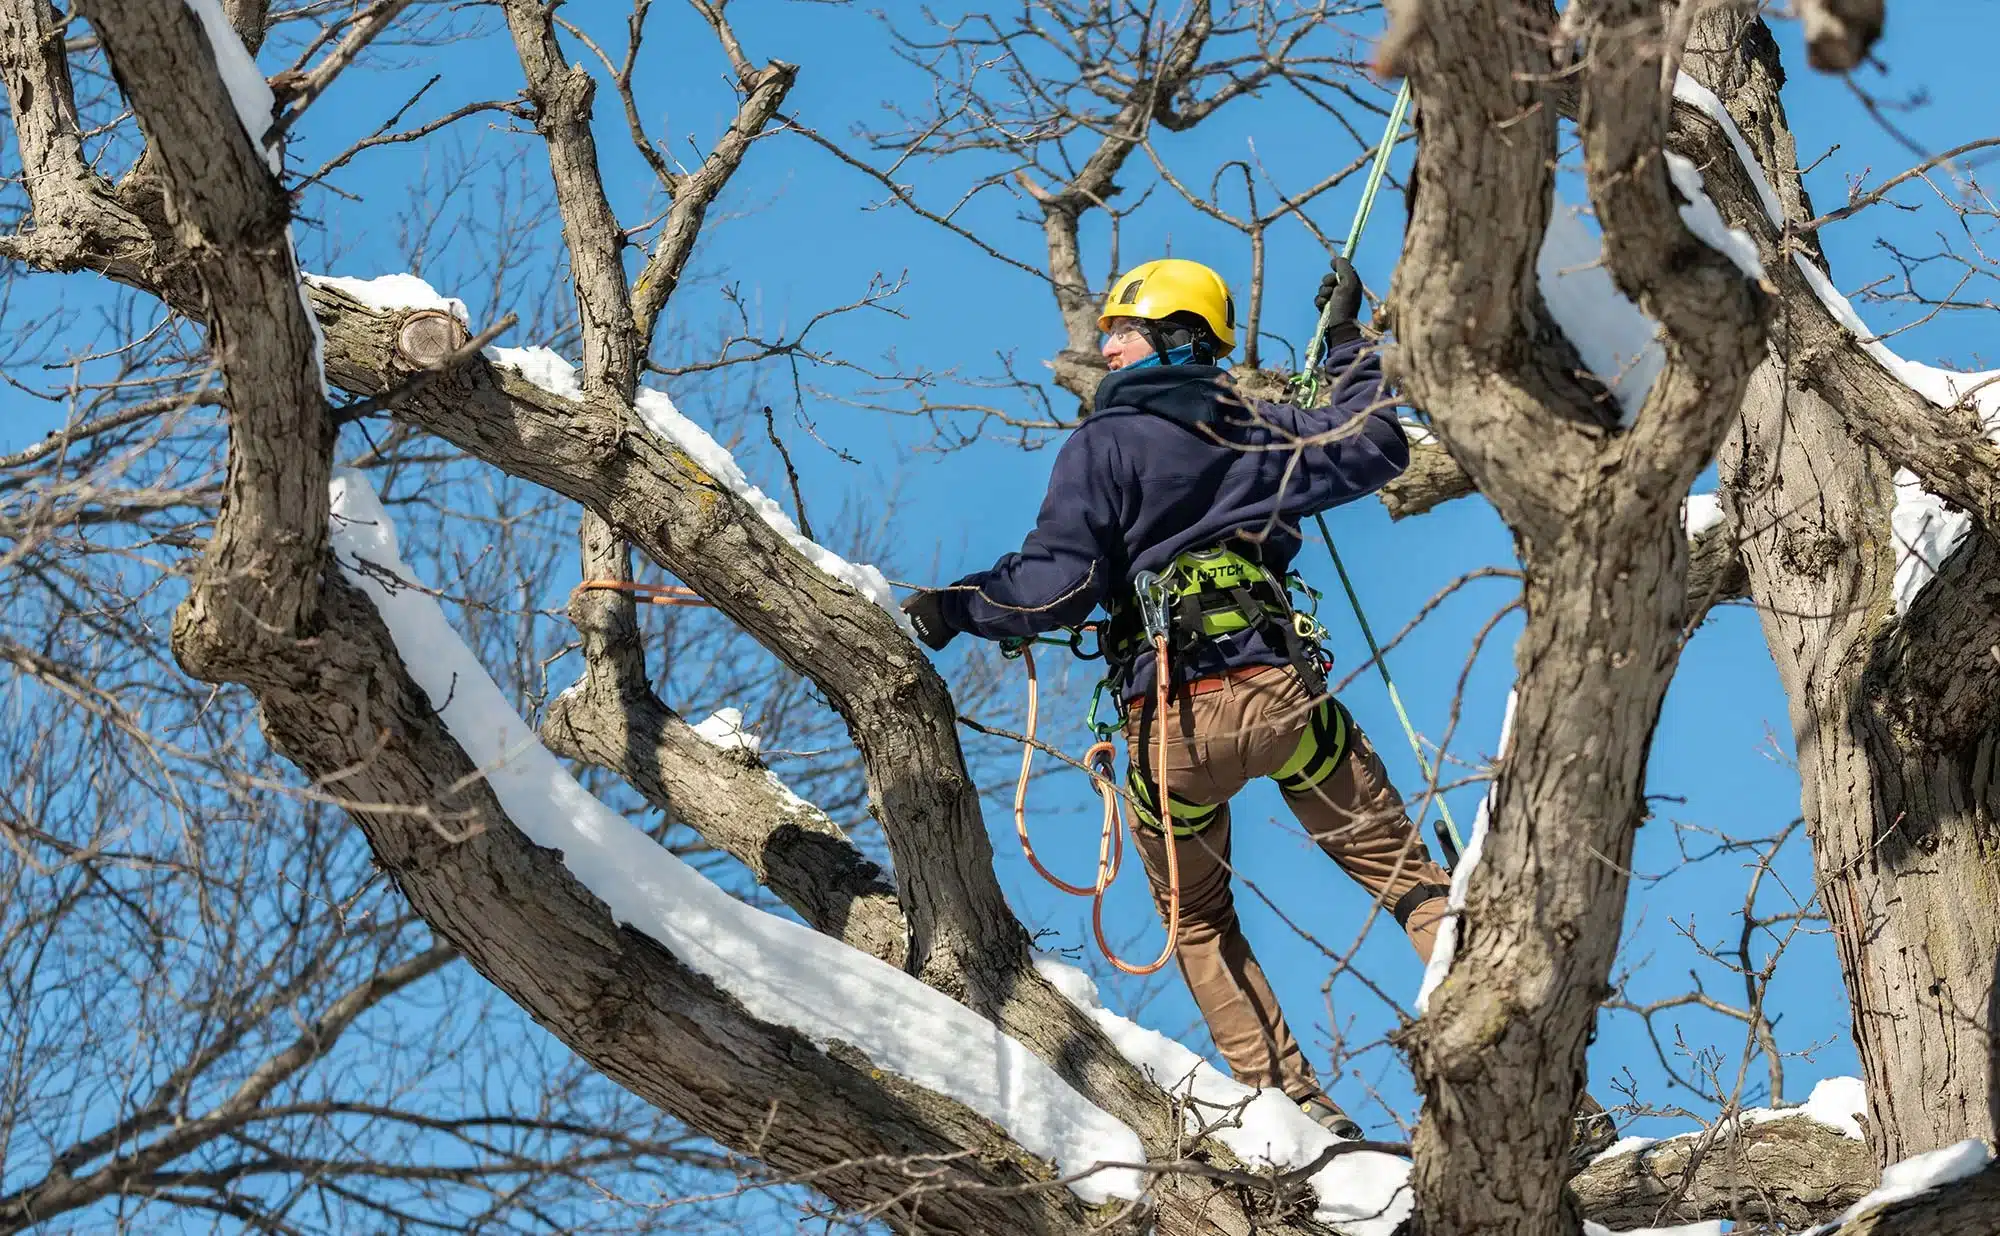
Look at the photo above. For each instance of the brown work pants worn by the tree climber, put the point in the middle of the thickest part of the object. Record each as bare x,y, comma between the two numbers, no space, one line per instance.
1219,741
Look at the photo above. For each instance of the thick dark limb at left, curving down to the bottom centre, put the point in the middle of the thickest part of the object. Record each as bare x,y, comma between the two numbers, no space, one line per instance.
337,701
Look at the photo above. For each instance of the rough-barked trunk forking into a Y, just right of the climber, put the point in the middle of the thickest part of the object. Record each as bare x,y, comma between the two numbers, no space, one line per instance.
1597,521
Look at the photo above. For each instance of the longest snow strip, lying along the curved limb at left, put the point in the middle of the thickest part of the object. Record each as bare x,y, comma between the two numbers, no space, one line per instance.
779,971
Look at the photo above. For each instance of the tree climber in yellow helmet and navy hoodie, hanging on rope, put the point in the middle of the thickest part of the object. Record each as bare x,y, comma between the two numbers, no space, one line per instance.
1179,475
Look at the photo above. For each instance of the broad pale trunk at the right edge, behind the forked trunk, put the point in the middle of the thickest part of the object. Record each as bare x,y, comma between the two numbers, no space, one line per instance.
1895,721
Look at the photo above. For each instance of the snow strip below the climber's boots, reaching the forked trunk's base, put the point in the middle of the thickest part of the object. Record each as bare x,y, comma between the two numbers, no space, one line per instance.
1361,1195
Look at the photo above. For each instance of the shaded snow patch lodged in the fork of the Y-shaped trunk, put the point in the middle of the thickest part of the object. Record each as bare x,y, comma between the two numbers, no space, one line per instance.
1617,341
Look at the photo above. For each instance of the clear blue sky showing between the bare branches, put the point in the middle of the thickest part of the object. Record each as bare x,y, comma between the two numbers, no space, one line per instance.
799,235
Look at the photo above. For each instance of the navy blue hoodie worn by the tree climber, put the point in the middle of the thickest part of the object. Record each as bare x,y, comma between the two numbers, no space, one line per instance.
1175,461
